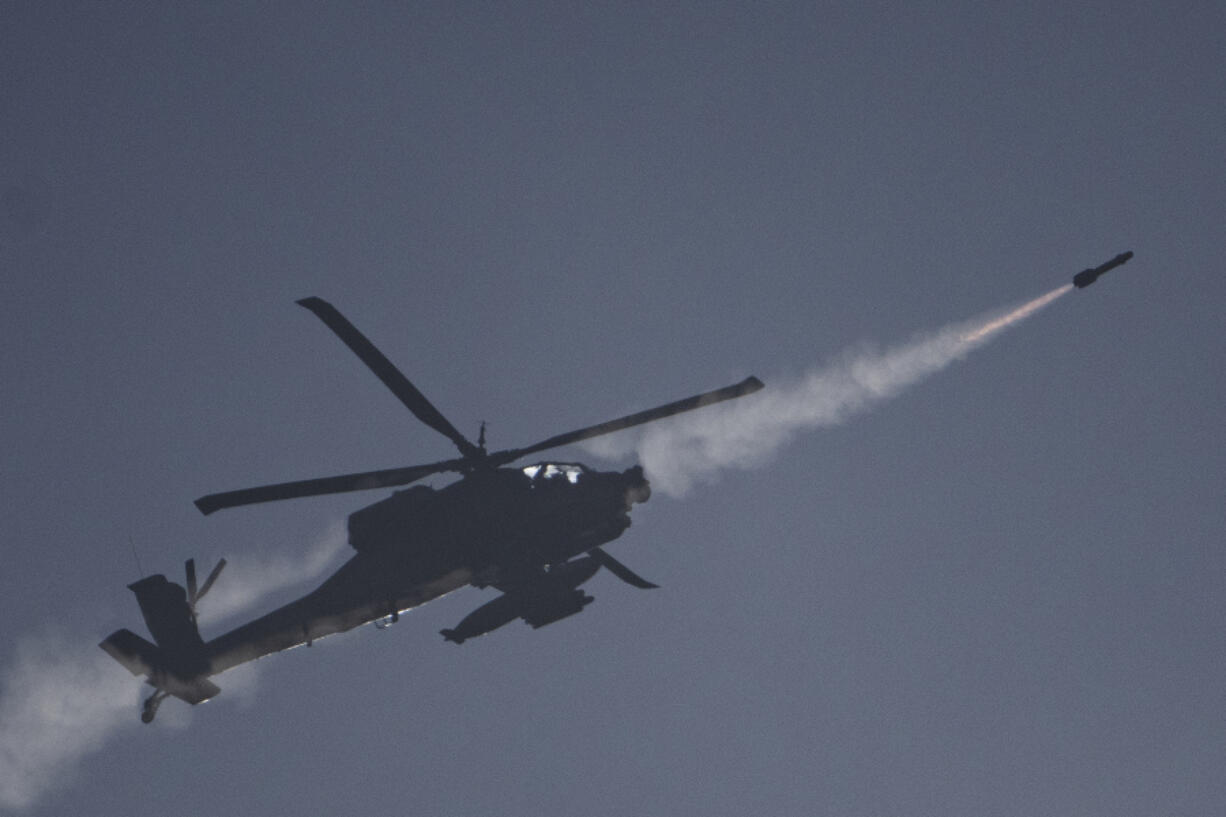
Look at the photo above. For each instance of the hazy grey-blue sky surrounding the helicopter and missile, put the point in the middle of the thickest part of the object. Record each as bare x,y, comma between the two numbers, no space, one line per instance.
997,593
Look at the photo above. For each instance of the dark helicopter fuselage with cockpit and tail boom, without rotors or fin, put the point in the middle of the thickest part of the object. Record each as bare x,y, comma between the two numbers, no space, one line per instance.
421,544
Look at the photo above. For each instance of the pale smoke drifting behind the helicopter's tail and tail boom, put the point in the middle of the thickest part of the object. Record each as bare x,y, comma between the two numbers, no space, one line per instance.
64,699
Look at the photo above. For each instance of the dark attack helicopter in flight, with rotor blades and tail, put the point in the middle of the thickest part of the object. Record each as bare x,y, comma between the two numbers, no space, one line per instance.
534,533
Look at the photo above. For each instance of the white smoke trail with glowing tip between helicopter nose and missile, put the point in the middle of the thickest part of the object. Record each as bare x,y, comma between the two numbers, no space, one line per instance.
696,447
